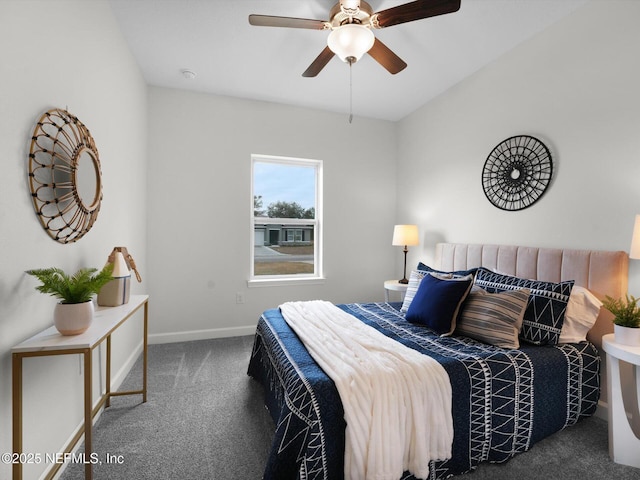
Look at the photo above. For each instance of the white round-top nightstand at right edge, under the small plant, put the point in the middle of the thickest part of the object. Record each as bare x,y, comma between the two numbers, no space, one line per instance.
624,444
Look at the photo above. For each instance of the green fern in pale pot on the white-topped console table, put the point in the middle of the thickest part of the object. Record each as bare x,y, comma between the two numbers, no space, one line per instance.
73,314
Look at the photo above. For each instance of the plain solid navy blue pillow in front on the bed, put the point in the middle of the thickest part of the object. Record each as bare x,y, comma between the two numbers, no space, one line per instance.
437,302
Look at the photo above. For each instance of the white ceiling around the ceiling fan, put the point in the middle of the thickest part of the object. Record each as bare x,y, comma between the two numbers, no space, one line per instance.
213,38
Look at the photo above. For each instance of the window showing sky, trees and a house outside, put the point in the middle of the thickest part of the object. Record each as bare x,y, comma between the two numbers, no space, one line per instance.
286,240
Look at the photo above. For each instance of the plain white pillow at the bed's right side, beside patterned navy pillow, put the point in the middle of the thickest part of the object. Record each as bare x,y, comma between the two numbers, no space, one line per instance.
582,311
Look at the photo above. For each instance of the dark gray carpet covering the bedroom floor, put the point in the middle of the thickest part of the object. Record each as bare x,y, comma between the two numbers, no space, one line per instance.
205,419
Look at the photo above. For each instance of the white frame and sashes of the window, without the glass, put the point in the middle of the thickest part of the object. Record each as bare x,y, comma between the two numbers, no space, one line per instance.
275,280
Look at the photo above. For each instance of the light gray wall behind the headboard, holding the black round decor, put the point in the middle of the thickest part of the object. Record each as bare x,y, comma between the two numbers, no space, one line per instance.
574,86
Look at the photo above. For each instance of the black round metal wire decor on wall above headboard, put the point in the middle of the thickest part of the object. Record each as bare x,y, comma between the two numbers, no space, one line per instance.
517,172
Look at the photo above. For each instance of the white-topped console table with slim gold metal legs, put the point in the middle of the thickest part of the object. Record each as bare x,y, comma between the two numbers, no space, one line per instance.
51,342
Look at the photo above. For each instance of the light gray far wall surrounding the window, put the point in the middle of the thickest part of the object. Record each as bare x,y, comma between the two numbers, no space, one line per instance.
200,208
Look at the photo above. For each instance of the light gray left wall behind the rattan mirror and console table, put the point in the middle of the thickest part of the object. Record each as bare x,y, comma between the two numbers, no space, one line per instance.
64,54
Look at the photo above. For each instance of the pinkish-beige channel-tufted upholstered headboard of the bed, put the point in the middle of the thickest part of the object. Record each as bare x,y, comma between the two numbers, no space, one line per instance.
602,272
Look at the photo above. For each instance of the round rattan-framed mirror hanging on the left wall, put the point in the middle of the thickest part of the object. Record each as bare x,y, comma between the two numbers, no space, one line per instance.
64,176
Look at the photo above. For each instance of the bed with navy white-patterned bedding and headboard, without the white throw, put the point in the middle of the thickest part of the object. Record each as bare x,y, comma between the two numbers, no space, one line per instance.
503,399
